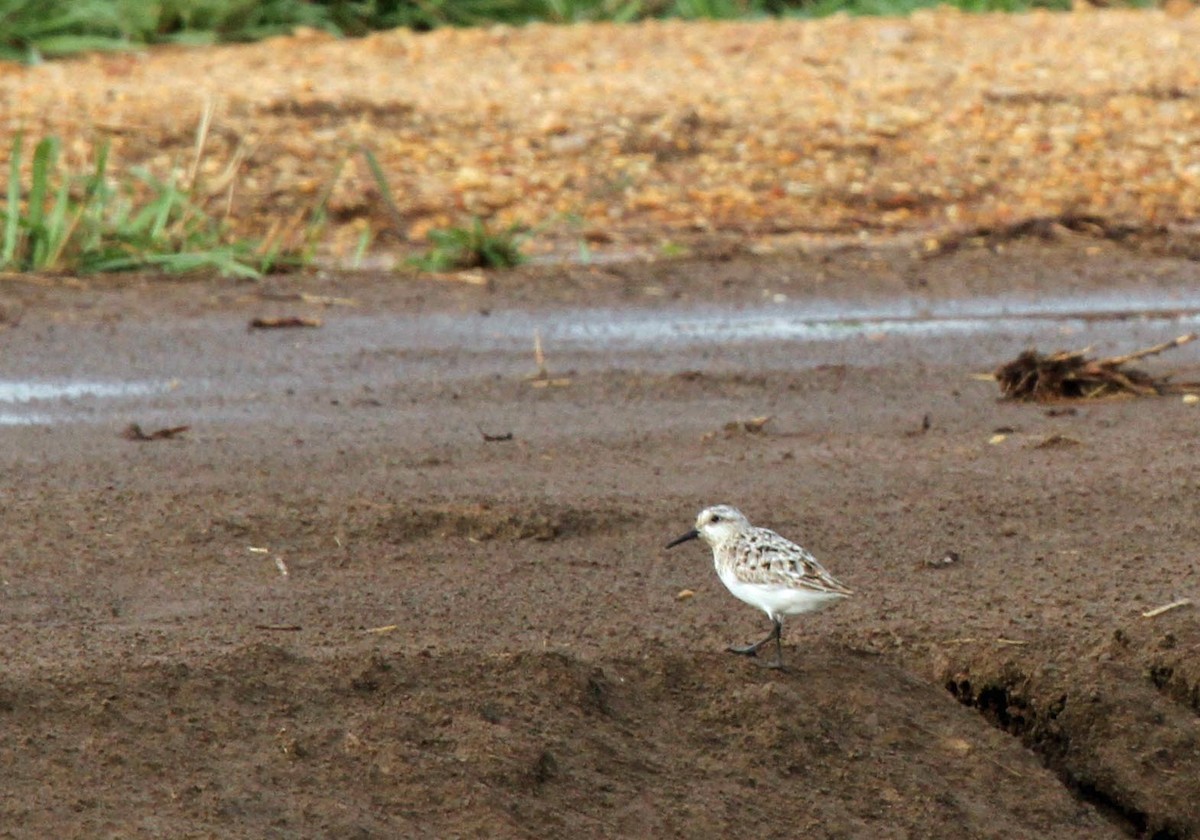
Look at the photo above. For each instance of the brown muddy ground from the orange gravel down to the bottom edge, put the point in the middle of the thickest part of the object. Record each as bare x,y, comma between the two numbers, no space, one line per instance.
333,609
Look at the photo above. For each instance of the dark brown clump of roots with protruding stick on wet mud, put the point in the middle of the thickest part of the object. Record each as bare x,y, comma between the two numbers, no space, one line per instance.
1071,375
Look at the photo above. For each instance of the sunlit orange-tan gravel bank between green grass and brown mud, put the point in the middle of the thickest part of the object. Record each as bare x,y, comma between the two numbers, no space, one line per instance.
659,136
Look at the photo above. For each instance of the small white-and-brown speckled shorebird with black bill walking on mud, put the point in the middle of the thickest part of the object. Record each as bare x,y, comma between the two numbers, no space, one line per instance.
765,571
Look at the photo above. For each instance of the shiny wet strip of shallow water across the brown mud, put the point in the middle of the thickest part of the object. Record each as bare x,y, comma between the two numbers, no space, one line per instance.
214,377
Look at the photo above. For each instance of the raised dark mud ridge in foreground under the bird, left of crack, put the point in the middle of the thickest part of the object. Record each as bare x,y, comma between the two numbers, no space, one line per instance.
525,745
